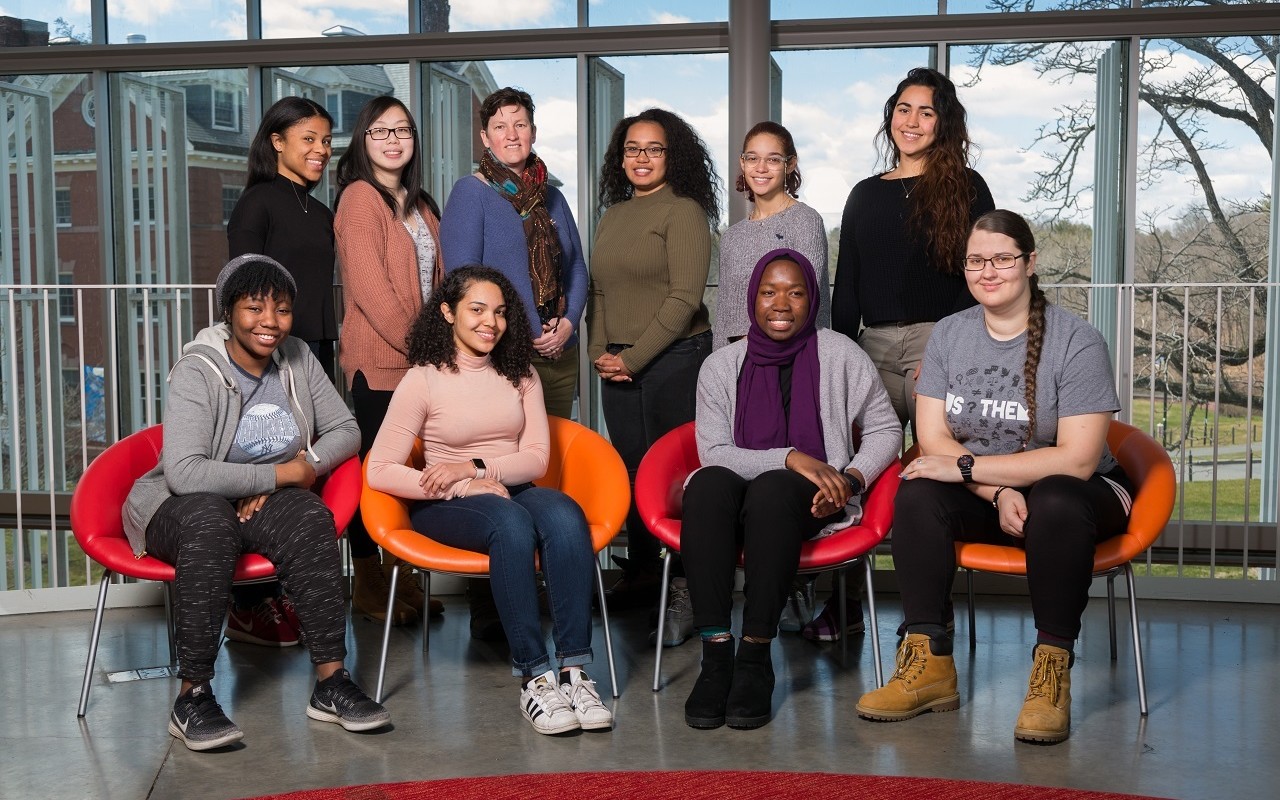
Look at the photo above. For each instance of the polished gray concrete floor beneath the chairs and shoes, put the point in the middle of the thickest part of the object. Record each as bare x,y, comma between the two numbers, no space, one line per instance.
1213,732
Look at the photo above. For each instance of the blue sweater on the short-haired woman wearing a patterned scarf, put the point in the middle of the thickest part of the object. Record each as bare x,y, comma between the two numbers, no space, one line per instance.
482,227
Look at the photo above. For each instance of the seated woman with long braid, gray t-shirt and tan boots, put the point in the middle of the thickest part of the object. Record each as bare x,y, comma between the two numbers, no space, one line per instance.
1016,397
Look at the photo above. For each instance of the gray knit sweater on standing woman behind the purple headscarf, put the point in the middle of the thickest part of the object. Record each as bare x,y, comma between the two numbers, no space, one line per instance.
798,227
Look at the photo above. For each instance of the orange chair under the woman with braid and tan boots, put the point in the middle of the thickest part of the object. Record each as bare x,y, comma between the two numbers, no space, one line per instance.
1153,473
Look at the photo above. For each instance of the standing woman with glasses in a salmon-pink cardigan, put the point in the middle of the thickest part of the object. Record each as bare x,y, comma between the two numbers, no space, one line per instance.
388,236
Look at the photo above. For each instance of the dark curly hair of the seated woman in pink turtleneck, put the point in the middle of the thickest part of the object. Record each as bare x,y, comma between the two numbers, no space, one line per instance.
431,339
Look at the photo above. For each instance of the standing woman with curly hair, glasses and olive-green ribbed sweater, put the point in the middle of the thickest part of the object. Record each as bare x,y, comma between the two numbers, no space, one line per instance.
650,331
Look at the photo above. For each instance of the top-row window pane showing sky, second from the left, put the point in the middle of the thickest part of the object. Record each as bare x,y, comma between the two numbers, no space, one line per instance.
132,24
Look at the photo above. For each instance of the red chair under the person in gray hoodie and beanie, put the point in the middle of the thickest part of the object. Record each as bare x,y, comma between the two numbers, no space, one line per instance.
99,528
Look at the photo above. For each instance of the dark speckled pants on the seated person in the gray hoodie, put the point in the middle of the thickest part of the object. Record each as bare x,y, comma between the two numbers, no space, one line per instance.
203,538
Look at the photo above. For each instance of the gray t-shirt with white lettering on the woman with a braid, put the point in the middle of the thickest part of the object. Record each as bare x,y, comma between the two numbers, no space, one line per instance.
981,381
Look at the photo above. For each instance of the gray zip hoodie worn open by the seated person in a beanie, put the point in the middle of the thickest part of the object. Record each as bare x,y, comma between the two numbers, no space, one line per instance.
203,413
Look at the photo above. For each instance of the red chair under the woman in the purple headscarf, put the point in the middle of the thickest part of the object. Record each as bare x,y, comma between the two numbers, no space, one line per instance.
660,499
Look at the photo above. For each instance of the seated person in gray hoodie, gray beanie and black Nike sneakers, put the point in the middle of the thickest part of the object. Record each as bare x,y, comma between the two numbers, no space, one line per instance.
253,422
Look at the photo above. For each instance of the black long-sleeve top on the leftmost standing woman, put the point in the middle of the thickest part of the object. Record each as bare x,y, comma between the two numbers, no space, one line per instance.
277,218
